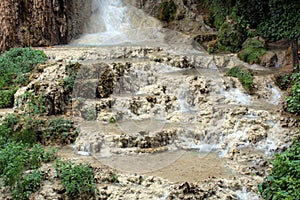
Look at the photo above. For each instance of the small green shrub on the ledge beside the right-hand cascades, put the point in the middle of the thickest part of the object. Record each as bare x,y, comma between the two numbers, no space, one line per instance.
244,76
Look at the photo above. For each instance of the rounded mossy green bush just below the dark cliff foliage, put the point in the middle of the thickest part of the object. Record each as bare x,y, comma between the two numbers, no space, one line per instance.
252,50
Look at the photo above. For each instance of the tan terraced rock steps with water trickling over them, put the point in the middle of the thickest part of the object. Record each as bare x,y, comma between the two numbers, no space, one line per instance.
150,109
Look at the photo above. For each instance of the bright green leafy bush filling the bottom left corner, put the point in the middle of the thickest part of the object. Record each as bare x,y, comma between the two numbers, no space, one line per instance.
15,159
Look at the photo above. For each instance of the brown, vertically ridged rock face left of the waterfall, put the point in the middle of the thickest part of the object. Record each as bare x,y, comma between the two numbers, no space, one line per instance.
41,23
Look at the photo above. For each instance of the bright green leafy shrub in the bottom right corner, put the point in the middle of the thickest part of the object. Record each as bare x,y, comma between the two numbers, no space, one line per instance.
283,182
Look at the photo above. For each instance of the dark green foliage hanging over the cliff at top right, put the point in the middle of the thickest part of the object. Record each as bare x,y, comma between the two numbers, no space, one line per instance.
272,19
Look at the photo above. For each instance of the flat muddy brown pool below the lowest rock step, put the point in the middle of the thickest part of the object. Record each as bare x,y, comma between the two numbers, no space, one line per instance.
175,166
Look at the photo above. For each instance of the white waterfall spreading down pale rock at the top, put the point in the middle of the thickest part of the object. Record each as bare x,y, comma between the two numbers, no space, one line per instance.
112,22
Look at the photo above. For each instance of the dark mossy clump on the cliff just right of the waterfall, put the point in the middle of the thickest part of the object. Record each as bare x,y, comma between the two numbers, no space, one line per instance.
167,11
